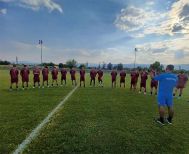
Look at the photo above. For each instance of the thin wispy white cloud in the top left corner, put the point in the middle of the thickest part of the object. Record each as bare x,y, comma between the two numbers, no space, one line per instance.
36,4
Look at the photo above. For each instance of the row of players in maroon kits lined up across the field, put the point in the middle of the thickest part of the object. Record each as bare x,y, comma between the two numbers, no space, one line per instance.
14,72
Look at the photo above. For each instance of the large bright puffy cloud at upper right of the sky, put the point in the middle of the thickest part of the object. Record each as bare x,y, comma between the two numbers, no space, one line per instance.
174,21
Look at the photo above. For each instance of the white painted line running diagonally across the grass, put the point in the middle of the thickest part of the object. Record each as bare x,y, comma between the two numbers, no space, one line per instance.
35,132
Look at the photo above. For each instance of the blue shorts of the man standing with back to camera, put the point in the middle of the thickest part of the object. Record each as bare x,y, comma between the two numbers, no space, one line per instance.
165,100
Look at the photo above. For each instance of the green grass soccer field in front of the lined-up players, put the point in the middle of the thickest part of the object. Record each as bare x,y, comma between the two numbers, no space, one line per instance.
93,120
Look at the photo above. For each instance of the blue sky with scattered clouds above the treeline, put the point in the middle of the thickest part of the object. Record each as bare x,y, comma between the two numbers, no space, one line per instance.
95,31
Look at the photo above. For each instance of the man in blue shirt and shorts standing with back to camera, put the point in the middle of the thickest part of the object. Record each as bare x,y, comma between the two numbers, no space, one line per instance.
167,82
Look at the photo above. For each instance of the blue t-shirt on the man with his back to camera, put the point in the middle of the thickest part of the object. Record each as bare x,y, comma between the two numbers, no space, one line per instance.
167,82
